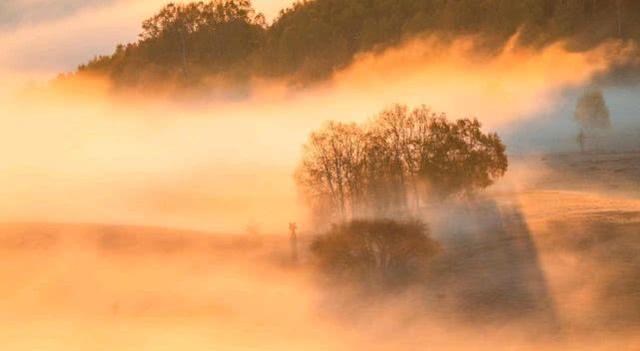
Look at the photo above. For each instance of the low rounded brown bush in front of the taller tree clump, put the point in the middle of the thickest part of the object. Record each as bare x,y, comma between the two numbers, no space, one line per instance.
387,252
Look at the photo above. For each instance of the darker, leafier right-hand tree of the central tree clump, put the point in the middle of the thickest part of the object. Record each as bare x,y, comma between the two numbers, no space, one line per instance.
448,157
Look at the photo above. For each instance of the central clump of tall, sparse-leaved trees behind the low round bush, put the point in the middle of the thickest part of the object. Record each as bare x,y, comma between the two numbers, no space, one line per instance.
395,163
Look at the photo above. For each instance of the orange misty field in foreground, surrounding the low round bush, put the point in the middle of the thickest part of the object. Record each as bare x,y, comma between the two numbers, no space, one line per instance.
550,265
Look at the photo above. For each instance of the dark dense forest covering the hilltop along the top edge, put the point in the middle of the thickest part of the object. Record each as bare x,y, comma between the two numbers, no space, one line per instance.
227,41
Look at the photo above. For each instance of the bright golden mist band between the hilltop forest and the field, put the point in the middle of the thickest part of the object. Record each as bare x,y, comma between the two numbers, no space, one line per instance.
81,152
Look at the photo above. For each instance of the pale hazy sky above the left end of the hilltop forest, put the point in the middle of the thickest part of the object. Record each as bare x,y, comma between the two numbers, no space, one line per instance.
50,36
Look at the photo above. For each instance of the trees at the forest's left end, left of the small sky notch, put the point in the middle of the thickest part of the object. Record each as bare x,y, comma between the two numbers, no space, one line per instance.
186,44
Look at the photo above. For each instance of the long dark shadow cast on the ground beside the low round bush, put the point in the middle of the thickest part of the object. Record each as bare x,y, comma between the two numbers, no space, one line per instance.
489,271
